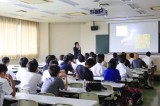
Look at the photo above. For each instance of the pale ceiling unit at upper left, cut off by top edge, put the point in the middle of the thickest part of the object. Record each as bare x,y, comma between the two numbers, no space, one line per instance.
35,1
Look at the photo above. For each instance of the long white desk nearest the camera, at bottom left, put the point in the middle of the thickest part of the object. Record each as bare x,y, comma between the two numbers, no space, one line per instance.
51,99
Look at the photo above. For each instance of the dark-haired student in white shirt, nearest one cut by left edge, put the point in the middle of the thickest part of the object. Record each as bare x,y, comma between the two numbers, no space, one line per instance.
8,84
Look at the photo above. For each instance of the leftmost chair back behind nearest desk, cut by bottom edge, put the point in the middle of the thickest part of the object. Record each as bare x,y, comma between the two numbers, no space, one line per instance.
27,103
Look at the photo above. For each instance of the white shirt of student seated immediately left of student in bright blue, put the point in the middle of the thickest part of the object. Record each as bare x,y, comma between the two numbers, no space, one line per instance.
98,69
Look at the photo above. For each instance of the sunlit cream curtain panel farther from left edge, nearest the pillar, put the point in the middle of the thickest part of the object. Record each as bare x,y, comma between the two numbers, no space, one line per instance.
29,39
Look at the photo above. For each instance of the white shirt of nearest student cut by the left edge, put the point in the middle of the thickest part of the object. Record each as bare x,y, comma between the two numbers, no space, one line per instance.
6,87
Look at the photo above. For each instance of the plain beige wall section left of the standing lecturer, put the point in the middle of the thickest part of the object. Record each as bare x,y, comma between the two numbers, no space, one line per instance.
63,36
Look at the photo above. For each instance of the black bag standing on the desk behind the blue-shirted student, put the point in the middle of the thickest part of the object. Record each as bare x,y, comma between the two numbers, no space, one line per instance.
94,86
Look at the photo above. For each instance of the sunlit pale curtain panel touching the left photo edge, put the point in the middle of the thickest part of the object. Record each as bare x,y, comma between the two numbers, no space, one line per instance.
8,37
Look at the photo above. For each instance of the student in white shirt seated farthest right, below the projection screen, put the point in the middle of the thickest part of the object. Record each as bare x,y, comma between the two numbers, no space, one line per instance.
147,59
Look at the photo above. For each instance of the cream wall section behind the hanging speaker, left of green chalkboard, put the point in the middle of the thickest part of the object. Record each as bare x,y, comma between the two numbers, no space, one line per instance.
88,41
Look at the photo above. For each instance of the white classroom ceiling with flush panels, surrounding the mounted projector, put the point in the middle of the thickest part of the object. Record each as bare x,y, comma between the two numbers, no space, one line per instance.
78,10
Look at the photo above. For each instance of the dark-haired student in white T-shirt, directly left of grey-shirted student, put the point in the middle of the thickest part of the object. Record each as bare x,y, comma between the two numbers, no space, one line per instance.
31,79
